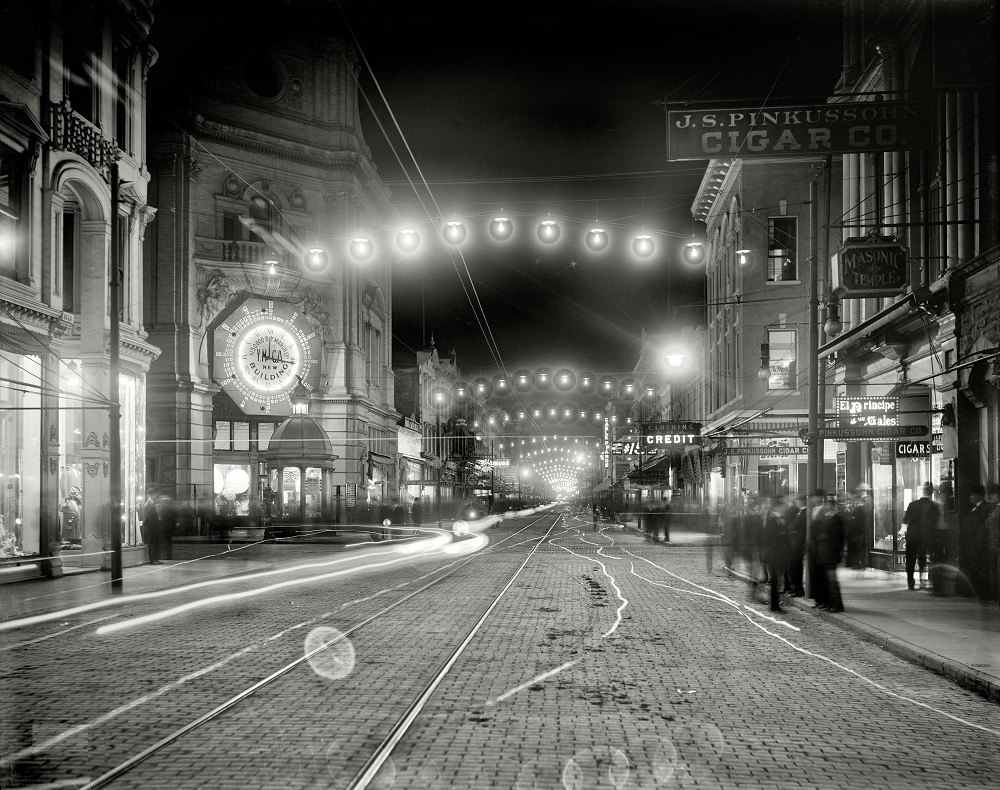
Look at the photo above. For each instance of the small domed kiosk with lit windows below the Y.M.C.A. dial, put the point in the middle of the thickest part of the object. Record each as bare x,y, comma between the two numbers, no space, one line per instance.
299,461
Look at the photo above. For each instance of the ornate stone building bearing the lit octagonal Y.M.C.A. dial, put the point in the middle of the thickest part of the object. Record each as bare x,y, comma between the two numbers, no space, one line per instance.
263,177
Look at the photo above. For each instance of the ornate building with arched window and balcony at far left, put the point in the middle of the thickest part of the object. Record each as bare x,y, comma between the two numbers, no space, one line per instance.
72,103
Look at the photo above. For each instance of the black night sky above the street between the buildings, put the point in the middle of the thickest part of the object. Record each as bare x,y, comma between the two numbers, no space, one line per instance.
540,109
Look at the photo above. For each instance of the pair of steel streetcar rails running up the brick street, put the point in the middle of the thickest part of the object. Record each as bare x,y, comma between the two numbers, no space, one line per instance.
104,779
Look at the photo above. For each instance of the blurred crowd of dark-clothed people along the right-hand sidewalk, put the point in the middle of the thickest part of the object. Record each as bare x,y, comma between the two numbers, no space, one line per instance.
775,532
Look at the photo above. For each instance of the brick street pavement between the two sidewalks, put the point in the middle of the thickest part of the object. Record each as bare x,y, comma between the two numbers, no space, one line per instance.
687,692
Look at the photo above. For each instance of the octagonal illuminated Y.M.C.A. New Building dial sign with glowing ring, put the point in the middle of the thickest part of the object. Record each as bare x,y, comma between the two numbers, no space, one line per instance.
260,351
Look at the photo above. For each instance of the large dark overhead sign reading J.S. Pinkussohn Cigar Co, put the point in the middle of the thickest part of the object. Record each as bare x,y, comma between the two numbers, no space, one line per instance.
838,128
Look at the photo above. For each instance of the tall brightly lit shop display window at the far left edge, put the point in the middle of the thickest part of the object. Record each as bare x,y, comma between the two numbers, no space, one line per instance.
20,455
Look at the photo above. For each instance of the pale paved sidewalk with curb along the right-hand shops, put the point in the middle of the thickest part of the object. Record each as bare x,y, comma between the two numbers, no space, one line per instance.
956,637
